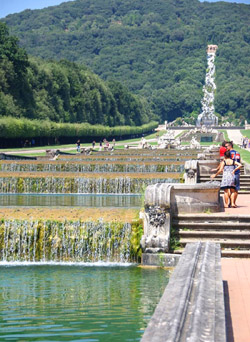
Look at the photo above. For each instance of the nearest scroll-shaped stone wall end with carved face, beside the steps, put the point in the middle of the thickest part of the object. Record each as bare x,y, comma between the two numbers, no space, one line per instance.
162,201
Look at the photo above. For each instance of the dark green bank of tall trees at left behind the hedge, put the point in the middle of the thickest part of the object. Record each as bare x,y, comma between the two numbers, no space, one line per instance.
62,91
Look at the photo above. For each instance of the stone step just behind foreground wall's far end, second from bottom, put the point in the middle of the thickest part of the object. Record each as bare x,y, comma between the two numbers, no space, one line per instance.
225,243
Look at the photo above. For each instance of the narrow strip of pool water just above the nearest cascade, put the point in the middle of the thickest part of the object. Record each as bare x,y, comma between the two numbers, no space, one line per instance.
74,200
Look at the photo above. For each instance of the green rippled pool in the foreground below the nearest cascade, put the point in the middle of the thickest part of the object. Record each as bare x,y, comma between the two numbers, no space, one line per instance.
77,303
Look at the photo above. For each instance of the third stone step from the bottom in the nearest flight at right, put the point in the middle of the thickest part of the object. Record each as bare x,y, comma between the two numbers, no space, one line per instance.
237,234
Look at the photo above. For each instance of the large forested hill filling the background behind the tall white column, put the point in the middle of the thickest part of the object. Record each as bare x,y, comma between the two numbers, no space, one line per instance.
157,49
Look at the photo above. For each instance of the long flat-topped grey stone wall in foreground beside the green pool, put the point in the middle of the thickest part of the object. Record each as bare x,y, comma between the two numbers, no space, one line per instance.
192,306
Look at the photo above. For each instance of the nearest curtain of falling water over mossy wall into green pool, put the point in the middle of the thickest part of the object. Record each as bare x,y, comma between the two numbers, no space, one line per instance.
65,241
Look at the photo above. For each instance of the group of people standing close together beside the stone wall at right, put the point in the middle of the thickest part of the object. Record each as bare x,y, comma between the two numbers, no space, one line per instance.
230,166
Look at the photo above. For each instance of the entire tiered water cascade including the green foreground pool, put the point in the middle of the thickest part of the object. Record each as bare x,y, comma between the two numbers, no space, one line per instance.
63,246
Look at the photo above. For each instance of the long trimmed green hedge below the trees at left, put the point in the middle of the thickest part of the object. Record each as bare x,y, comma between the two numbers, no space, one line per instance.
24,128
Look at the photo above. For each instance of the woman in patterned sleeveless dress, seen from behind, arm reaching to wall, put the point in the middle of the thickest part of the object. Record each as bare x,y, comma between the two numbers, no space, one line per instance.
228,166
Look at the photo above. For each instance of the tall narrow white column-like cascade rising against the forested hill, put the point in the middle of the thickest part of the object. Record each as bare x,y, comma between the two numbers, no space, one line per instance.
207,117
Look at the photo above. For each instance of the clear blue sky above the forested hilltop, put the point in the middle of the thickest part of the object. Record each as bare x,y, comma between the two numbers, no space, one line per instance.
14,6
